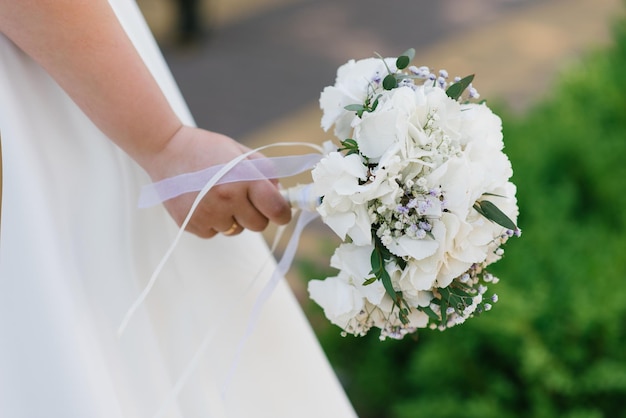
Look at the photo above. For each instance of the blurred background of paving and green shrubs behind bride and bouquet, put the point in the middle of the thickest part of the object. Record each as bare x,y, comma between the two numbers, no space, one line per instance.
555,71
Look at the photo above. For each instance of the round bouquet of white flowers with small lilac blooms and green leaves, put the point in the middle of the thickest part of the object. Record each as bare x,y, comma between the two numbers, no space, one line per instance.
418,190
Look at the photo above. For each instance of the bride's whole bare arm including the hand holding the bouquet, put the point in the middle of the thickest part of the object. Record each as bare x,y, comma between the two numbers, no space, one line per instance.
81,44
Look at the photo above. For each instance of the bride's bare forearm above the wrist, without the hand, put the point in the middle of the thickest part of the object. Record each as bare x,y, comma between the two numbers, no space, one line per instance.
83,47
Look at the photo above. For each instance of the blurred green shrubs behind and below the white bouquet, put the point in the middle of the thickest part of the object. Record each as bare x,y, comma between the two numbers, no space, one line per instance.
555,343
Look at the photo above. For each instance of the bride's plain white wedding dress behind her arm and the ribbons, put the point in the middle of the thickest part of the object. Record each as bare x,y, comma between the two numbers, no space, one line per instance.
75,252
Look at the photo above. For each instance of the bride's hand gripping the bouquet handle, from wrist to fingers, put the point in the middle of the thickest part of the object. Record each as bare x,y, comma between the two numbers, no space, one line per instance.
227,208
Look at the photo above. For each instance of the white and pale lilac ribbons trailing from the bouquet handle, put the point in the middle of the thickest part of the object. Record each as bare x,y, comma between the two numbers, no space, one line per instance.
239,169
